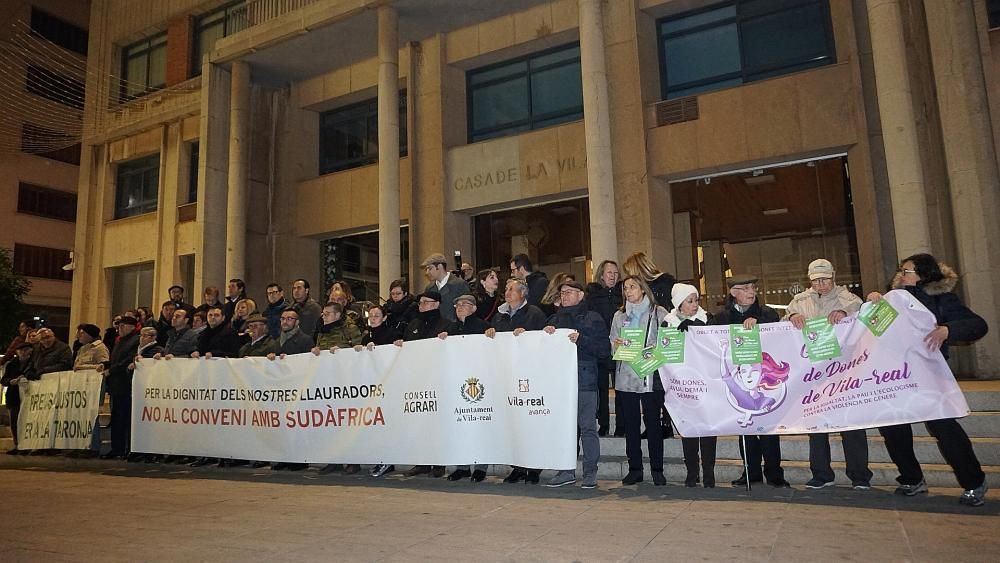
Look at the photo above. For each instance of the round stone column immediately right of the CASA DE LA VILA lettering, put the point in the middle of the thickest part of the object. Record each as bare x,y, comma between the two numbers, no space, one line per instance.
596,121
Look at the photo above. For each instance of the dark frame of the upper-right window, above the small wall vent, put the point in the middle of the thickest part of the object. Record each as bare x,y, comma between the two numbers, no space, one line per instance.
742,16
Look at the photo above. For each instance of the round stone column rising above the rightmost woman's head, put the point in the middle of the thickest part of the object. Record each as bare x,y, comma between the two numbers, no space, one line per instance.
899,128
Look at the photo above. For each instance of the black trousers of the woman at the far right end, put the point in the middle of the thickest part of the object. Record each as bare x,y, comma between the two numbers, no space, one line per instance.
955,446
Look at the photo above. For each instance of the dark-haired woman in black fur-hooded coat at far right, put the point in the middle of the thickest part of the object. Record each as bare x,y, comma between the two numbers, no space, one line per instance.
933,283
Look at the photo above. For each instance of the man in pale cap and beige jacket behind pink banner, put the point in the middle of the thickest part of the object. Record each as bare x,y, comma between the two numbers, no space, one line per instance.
825,298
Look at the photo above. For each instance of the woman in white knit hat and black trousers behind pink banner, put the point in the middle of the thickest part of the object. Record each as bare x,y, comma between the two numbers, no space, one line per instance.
687,312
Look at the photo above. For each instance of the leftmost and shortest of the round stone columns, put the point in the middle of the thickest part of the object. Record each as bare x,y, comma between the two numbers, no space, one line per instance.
239,163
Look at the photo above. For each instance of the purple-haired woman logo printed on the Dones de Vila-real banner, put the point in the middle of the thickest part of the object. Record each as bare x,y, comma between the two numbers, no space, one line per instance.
755,389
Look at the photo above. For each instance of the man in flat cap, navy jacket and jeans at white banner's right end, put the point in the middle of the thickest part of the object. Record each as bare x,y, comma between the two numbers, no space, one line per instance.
590,334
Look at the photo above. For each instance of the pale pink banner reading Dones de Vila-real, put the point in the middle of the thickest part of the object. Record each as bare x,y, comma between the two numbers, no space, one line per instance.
875,381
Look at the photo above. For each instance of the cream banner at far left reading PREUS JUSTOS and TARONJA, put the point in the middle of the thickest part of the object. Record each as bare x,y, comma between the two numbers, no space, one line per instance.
59,410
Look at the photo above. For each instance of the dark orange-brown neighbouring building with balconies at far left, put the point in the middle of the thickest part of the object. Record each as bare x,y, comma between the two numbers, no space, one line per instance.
43,47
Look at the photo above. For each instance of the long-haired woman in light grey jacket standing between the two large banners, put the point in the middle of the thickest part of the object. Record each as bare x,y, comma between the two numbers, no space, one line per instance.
639,394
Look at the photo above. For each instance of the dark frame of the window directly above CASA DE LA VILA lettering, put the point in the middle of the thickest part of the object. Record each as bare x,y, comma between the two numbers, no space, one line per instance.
543,120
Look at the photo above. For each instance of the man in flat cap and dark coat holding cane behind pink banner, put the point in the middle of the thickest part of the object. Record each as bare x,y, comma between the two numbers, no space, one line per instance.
743,307
